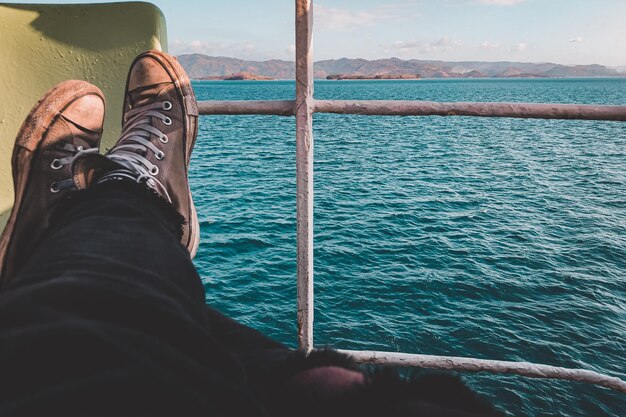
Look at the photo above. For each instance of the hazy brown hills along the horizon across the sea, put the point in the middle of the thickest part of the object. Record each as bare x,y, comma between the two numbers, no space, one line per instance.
203,67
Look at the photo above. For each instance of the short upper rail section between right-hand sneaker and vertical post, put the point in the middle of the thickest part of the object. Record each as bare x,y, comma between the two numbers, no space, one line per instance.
274,107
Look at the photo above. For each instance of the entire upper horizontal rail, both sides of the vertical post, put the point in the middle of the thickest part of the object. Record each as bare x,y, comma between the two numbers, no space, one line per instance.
421,108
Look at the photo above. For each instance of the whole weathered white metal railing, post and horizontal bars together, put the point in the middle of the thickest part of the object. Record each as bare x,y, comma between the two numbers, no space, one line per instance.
303,108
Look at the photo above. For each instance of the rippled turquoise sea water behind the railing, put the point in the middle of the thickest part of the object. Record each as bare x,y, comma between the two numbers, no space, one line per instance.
491,238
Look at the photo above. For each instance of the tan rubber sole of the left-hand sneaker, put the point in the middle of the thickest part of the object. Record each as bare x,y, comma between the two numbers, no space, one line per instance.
29,138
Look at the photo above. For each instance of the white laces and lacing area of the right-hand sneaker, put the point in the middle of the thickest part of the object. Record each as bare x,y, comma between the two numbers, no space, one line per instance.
135,143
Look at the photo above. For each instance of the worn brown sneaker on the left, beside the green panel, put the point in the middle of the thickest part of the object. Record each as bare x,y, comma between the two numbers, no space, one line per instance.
65,124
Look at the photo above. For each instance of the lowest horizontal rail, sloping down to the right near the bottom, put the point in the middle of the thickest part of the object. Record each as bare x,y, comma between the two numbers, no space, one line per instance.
527,369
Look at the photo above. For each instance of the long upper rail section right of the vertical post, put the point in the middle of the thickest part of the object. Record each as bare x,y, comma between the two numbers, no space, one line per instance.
431,108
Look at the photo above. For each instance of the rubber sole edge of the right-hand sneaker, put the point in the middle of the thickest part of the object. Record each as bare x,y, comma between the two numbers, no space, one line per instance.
183,85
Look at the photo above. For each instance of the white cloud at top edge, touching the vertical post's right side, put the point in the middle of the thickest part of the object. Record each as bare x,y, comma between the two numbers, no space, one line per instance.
334,18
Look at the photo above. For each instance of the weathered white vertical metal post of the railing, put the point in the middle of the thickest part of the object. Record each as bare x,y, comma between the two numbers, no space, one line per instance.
304,171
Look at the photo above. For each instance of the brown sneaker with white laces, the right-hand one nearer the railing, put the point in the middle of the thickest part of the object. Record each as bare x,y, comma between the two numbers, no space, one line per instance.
160,125
